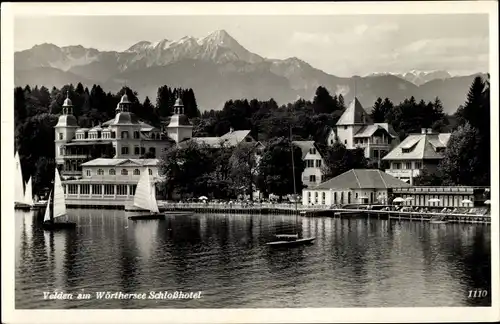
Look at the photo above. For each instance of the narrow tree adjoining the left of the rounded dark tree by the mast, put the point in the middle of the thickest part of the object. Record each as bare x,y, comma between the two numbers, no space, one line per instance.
244,167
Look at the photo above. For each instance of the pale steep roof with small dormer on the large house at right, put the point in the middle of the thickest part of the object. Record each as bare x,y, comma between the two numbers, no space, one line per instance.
420,147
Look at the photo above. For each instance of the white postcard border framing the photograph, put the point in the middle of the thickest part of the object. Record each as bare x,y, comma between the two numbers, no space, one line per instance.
347,315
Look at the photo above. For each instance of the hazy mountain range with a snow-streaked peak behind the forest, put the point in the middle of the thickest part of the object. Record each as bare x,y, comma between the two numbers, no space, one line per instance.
218,69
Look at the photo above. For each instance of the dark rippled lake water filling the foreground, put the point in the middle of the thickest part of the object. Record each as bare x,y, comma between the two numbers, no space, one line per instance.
353,263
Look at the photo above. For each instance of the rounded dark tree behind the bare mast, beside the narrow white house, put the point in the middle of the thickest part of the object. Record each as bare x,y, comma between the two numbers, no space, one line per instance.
276,176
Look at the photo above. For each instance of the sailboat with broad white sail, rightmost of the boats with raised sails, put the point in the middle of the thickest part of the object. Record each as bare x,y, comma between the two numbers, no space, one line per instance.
145,198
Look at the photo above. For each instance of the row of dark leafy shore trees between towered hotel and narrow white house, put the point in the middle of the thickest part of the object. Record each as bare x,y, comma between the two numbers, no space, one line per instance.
198,169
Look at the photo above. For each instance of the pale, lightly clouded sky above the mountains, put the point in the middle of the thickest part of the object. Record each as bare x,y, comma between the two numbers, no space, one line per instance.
343,45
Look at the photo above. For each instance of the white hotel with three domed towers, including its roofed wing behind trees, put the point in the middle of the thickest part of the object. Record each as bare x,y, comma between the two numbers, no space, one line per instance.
90,180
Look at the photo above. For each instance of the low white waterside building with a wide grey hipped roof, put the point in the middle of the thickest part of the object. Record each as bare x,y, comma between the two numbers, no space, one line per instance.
356,186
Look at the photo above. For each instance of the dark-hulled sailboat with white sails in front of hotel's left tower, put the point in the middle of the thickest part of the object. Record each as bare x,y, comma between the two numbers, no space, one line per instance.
59,208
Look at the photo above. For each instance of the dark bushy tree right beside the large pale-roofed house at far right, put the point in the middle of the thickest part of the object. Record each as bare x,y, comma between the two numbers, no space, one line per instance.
461,164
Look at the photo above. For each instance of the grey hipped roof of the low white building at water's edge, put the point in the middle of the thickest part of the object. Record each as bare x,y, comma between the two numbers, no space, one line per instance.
362,179
